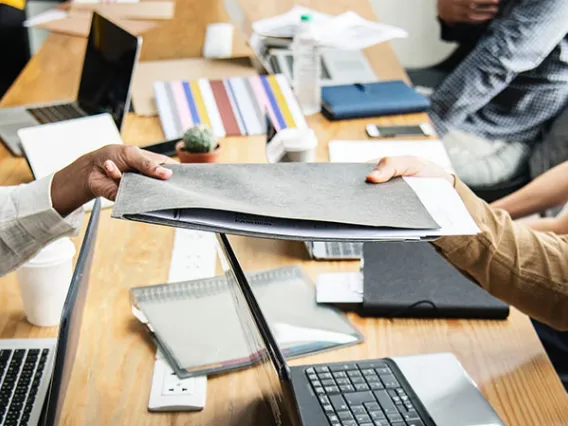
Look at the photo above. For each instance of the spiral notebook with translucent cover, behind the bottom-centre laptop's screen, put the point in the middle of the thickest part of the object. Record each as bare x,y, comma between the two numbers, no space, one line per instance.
197,327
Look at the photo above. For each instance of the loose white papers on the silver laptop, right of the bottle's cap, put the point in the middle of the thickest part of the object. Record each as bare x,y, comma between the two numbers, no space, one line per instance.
349,31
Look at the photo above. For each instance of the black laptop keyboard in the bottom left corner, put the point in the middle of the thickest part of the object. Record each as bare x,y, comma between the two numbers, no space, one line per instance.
21,371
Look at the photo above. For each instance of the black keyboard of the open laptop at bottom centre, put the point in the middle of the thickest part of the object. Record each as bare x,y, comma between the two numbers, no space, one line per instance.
363,394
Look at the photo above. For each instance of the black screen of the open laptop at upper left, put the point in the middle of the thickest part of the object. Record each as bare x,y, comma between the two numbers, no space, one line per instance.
107,70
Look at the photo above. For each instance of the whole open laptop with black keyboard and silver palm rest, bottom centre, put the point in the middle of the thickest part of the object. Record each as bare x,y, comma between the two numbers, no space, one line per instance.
420,390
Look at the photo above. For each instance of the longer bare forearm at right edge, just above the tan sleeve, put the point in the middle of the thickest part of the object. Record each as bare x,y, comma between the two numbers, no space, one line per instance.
546,191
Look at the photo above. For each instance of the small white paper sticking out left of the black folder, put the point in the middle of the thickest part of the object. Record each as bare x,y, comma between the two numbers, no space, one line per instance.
340,287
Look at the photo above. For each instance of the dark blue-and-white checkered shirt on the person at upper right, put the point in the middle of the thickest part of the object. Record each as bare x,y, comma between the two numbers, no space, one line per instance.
515,80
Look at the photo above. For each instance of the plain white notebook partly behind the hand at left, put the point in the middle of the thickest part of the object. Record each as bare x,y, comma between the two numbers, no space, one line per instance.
51,147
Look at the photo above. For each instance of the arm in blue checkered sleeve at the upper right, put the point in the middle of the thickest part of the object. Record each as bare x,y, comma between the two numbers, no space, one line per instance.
515,42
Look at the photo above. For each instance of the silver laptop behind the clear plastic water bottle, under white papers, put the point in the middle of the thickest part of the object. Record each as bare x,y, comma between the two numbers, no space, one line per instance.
338,66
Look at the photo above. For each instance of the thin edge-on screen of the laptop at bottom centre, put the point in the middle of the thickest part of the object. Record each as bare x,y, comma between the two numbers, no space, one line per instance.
270,366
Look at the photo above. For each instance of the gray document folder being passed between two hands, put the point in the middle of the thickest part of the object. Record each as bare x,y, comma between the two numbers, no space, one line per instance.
328,201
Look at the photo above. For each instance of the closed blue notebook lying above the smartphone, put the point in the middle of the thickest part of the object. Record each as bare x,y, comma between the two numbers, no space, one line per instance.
371,100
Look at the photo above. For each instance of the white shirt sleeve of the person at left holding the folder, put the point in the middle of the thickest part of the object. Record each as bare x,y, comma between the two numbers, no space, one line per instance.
28,222
